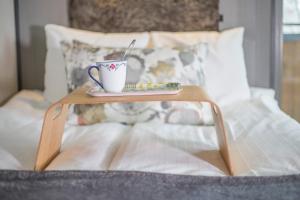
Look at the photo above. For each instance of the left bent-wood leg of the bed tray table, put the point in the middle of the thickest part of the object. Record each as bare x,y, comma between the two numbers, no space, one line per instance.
51,136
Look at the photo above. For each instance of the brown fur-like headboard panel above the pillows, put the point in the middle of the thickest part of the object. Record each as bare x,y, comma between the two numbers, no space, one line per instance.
144,15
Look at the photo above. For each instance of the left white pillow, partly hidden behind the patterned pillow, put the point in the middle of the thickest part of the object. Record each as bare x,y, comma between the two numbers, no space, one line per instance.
55,76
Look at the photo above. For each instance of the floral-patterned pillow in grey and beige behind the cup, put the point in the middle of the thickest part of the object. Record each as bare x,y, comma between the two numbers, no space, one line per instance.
182,65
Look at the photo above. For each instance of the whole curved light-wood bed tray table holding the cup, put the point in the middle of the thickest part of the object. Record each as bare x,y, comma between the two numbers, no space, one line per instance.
56,115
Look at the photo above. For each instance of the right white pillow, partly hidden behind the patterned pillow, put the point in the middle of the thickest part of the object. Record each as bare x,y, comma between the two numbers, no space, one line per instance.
225,70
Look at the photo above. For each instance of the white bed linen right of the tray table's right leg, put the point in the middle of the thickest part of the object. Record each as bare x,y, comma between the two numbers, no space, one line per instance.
264,140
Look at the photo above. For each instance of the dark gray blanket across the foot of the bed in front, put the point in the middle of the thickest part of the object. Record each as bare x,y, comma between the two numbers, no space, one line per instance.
75,185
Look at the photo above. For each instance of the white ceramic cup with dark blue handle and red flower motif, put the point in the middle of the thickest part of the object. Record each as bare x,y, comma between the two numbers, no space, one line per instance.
112,74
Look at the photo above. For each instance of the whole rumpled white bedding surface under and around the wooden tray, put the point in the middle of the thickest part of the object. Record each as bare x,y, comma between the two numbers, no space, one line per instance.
263,141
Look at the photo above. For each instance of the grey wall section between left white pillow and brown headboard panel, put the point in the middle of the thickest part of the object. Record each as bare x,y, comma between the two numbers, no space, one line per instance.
34,15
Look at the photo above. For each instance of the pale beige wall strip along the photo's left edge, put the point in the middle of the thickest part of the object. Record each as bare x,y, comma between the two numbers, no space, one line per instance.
8,67
